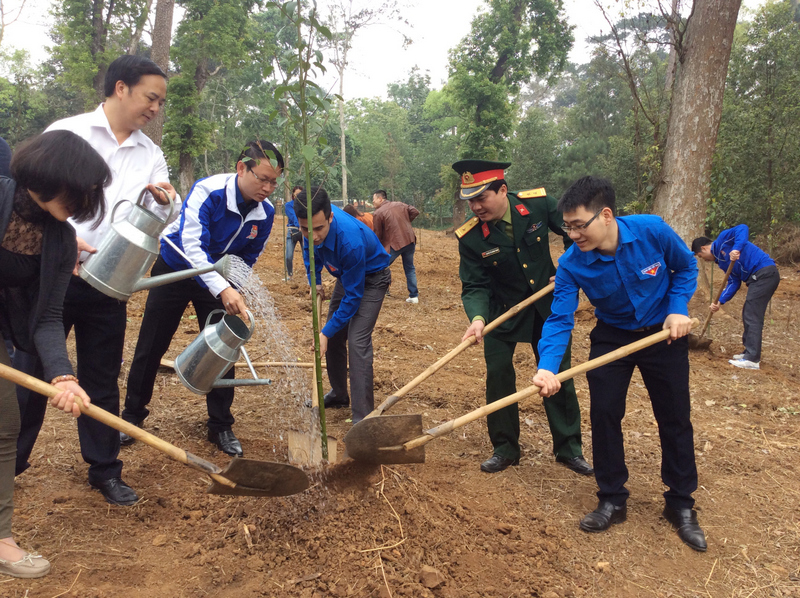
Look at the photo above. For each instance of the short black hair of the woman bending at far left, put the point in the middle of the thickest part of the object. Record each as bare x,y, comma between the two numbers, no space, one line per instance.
59,164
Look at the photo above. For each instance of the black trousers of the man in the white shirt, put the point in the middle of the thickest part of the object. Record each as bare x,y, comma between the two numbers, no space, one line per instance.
99,322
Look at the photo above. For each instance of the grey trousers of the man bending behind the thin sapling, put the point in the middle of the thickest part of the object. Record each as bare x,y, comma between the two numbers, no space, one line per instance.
358,334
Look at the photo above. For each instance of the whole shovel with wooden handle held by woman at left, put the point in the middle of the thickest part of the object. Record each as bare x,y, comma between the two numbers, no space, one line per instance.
242,477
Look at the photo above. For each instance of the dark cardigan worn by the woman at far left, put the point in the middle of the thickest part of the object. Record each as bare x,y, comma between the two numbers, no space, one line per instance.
34,312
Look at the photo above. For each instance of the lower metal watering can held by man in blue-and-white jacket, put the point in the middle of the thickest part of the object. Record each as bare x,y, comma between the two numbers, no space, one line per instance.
213,352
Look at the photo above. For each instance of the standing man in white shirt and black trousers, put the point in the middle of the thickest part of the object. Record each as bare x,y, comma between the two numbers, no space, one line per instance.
135,90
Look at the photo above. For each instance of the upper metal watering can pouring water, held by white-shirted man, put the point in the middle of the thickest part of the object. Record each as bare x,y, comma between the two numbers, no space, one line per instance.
129,249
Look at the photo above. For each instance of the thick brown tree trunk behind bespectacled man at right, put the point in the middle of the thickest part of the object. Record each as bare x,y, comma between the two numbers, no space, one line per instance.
694,117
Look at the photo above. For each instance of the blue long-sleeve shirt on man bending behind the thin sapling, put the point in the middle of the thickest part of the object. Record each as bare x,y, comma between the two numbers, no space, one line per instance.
349,252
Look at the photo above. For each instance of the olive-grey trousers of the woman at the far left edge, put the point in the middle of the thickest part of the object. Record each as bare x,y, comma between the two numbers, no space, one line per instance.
9,430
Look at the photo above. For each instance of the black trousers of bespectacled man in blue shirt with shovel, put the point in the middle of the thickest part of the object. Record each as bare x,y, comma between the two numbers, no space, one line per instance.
665,371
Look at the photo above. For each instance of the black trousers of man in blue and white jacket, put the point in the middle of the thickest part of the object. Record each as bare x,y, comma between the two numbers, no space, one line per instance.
162,316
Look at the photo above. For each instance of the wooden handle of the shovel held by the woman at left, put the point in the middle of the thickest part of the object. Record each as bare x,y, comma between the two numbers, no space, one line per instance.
111,420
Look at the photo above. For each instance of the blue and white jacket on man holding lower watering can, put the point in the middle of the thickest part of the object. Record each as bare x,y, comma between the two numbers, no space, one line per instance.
211,226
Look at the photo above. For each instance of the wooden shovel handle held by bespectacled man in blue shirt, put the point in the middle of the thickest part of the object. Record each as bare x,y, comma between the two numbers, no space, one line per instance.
448,427
